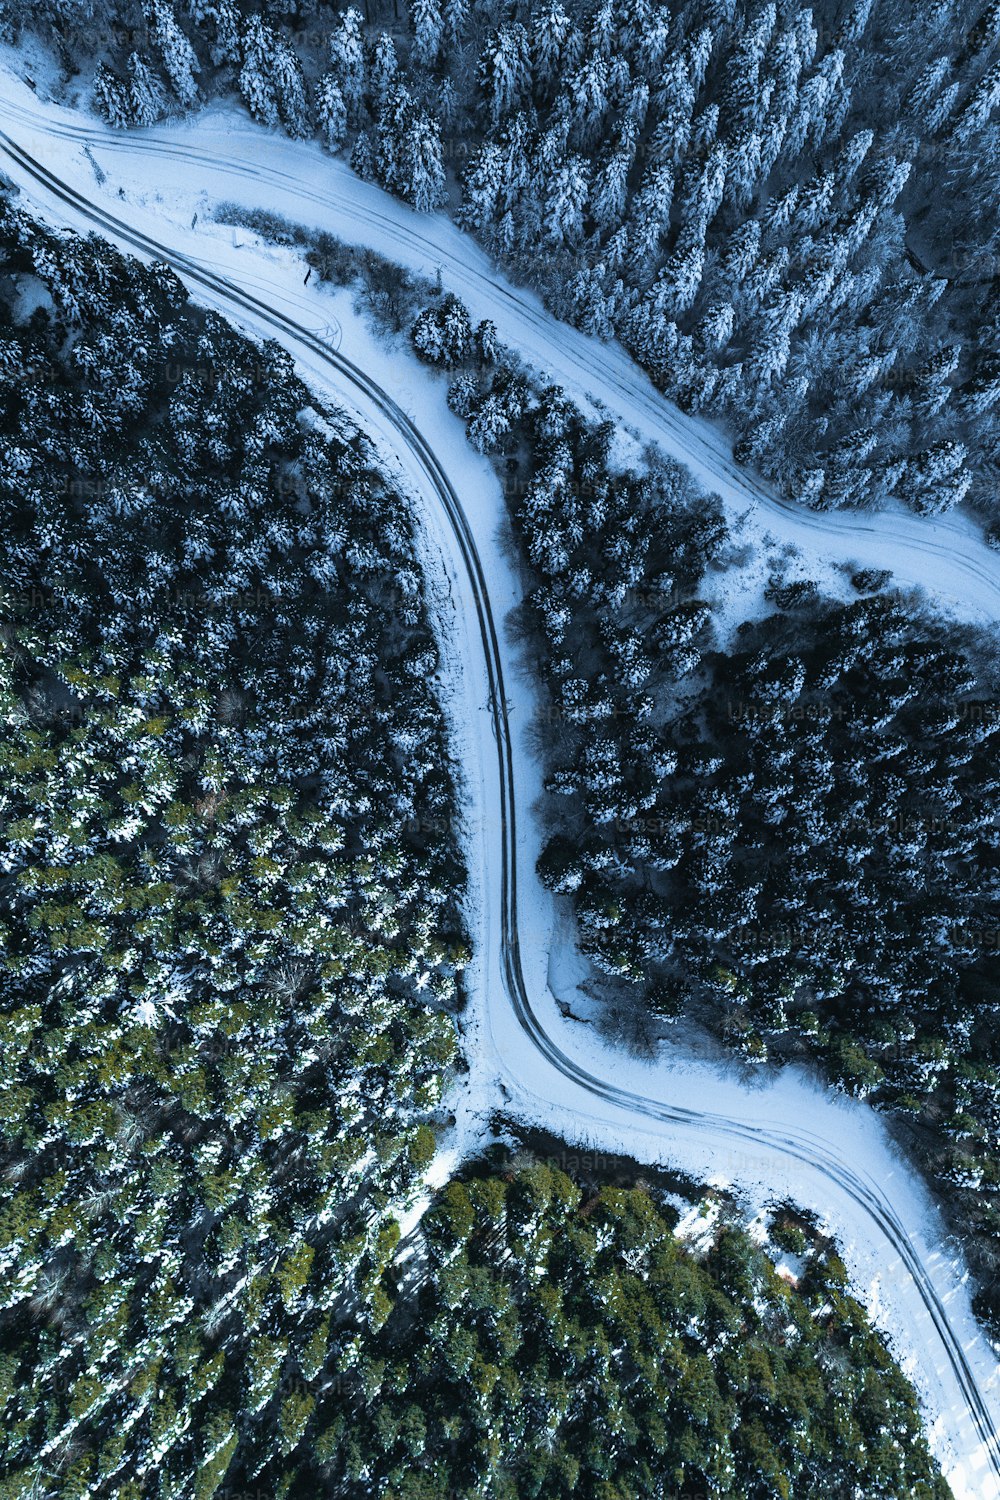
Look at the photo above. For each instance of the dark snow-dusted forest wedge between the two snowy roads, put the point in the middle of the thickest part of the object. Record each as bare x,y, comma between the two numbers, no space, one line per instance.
789,835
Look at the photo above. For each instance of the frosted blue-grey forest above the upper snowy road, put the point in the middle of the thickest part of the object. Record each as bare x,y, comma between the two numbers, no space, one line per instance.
786,214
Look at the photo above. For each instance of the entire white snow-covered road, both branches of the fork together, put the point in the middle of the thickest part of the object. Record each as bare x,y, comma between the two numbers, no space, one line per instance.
788,1139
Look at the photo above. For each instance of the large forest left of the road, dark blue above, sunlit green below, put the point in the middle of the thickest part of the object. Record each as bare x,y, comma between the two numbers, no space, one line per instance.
229,884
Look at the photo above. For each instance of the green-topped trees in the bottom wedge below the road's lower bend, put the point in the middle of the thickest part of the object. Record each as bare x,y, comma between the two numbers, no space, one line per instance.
600,1358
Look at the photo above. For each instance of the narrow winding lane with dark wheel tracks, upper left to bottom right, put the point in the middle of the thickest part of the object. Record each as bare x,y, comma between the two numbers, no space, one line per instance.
816,1154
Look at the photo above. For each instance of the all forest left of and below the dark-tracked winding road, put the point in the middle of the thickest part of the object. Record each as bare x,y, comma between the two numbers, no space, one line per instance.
233,956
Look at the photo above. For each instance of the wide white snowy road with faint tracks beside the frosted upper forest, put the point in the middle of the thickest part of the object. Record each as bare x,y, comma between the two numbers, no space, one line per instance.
230,158
